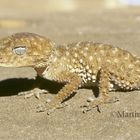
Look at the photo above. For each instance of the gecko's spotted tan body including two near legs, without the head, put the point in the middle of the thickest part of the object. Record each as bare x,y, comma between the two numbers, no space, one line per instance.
88,63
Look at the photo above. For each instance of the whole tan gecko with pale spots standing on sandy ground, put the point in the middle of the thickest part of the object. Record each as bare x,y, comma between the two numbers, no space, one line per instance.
76,65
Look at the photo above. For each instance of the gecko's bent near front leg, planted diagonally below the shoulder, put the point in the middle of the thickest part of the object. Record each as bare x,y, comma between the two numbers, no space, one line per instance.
72,83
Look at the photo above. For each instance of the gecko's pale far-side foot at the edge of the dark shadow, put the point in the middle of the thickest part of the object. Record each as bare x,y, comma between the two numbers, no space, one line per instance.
35,92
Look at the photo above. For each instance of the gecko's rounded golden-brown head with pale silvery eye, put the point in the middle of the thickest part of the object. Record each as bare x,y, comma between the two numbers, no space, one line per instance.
25,49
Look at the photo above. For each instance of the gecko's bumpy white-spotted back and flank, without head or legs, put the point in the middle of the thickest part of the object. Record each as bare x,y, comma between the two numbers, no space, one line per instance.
87,58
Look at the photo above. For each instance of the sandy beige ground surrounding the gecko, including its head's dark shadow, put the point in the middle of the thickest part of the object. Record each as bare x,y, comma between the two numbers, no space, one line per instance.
63,23
